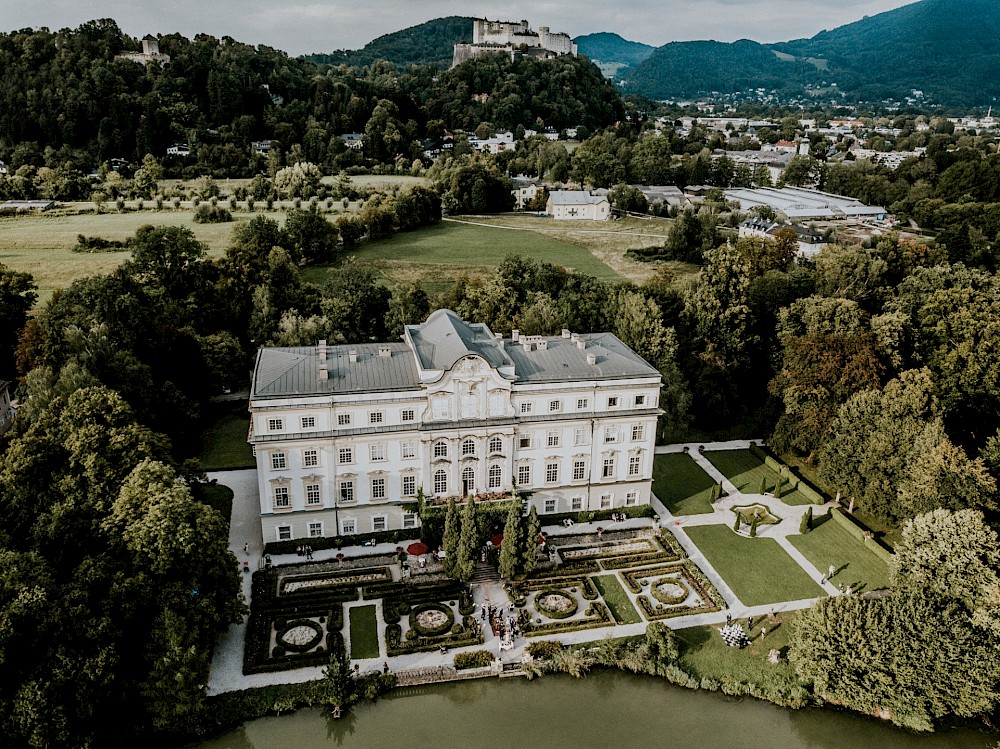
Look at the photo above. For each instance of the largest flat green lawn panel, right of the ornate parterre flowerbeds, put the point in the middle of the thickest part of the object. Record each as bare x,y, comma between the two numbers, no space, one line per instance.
757,569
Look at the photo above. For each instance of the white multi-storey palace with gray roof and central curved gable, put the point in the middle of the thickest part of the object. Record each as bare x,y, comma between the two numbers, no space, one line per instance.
346,436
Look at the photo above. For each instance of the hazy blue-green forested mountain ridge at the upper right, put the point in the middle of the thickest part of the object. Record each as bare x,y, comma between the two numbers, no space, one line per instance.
949,49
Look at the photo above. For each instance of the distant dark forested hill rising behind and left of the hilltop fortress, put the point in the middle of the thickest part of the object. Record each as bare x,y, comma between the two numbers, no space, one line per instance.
430,43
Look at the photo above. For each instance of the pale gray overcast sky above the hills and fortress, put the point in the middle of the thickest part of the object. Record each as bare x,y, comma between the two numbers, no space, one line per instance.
301,26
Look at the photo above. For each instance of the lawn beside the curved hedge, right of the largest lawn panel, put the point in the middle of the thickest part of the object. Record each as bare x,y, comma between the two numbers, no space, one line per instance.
830,543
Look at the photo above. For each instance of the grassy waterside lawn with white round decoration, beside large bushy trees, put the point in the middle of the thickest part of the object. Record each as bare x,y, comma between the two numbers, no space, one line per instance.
705,655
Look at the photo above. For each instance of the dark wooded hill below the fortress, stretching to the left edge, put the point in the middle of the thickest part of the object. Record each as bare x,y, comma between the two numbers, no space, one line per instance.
69,92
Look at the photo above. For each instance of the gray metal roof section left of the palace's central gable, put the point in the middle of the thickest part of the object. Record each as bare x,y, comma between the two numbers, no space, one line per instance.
284,372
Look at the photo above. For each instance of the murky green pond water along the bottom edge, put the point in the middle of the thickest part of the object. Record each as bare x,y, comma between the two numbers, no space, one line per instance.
607,709
